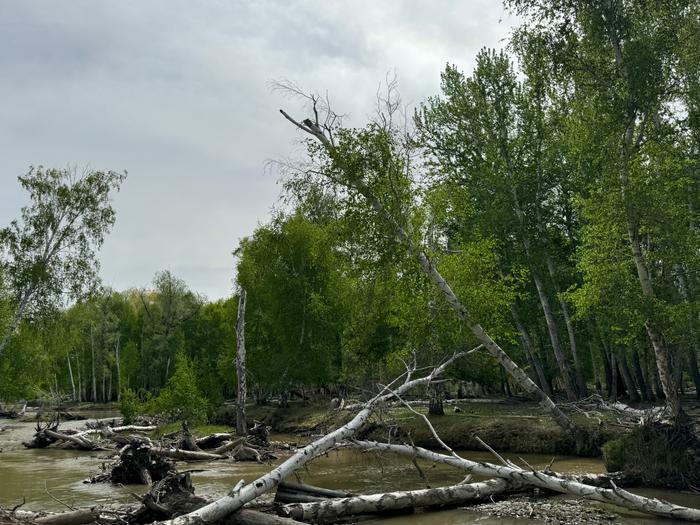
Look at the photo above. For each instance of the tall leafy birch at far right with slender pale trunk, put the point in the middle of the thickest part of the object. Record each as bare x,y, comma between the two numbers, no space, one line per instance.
620,59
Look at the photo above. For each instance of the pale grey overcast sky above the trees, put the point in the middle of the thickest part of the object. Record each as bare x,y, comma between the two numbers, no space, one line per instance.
177,93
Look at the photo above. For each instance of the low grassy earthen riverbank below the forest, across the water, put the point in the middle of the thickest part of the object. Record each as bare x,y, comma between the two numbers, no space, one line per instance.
506,425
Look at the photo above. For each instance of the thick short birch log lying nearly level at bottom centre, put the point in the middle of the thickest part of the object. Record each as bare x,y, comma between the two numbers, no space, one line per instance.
330,510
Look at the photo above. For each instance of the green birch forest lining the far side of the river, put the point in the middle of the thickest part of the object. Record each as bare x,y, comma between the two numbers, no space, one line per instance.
539,215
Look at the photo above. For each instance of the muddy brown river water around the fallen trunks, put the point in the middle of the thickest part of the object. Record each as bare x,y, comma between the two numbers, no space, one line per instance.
44,476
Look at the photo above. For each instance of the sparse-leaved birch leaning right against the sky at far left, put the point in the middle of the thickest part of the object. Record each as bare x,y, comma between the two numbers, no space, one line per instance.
50,253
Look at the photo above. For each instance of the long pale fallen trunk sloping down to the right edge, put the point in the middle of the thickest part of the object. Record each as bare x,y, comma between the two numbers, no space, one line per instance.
512,472
